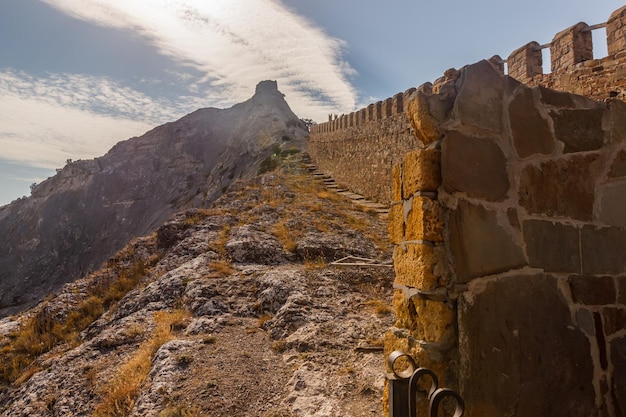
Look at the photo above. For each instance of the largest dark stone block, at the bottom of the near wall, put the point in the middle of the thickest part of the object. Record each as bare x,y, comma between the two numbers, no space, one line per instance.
517,338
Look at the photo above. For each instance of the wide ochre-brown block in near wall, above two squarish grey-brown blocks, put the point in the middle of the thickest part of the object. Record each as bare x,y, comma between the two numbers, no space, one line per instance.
562,187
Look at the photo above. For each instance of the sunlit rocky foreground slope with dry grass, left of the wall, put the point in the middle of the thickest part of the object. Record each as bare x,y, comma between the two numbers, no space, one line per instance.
228,311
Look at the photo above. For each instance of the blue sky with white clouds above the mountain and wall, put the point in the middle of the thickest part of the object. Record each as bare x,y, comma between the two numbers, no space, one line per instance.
78,76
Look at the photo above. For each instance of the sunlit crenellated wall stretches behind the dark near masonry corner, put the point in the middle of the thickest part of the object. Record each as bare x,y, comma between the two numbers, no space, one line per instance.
359,149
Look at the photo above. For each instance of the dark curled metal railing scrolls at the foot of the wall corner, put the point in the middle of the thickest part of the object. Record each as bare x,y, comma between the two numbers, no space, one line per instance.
404,390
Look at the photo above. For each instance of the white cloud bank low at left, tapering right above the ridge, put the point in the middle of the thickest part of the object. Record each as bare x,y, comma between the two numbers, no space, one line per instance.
43,122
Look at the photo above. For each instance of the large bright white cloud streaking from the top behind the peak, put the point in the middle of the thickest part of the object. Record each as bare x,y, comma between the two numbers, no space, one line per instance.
237,44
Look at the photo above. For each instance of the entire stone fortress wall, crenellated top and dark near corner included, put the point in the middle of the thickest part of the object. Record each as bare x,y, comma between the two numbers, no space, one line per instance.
509,227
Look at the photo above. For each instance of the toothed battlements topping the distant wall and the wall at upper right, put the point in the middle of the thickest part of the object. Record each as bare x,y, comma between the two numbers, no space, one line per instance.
573,70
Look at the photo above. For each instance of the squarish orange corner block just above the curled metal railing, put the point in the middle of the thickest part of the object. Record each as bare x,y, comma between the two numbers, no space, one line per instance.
435,321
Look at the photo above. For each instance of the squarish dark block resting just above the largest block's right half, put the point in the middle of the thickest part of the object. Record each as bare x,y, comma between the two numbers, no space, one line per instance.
552,246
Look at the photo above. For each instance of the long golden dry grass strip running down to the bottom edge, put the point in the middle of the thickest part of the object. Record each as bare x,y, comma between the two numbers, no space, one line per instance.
121,391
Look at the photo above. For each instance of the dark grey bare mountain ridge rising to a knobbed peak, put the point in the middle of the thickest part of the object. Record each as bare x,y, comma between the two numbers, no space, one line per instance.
77,219
